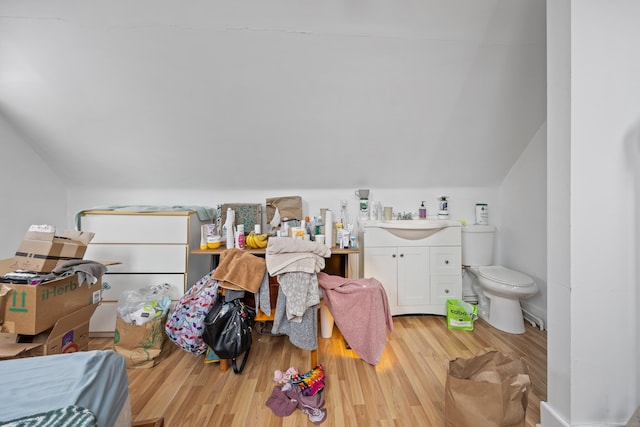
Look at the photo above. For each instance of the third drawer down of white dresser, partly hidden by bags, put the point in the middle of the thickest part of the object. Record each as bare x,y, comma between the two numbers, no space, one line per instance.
114,284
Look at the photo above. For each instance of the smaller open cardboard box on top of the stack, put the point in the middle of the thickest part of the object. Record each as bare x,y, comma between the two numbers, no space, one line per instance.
43,251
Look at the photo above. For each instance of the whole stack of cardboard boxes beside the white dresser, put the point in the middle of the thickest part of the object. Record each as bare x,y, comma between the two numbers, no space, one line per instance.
52,317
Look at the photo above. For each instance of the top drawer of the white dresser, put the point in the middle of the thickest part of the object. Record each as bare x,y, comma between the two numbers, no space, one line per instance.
137,228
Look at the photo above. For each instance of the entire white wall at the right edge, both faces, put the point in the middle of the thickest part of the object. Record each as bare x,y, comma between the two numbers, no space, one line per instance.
593,117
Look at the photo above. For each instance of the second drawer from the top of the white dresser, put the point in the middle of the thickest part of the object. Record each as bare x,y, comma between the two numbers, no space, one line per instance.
140,258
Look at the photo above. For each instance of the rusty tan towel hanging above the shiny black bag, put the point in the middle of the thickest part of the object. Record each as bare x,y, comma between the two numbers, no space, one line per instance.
239,270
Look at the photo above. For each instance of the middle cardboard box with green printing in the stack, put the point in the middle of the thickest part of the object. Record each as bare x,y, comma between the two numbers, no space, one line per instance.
33,309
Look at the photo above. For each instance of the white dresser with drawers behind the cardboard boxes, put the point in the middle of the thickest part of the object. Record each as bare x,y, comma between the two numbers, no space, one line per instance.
151,247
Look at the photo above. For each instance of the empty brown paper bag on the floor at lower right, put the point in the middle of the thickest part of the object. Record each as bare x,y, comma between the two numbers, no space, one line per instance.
489,390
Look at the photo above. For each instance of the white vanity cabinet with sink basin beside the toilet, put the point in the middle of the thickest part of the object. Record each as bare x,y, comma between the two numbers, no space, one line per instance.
419,270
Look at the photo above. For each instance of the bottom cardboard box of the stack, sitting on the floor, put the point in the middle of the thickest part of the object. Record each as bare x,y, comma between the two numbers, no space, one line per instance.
69,334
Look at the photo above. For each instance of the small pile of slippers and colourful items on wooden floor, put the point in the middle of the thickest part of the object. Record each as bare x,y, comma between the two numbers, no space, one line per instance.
304,392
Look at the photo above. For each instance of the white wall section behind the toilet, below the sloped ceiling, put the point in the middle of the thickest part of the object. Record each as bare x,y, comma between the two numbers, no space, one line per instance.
523,207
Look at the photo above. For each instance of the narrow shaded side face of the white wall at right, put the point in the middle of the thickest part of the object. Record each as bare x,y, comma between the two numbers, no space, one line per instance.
557,409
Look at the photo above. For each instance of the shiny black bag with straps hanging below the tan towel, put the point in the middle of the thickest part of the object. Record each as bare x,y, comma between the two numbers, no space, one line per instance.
227,330
